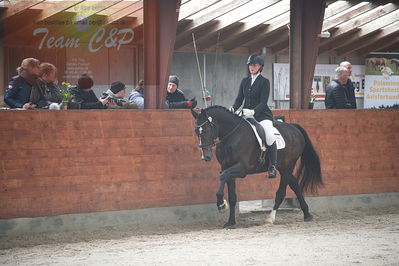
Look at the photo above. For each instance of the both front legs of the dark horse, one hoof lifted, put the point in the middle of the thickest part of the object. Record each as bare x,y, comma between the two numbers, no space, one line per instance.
228,176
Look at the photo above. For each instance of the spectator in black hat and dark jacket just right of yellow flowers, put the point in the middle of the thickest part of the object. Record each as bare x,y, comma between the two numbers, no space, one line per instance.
84,96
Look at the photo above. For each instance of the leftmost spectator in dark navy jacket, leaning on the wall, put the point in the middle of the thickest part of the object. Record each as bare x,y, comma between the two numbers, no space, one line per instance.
23,90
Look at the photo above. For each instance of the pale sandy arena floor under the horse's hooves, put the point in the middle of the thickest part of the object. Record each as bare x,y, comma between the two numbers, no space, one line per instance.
358,237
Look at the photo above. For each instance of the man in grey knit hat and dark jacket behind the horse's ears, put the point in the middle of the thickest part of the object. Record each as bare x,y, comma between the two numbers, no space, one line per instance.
175,98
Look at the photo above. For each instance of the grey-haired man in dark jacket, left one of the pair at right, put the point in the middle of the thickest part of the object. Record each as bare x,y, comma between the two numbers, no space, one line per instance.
336,93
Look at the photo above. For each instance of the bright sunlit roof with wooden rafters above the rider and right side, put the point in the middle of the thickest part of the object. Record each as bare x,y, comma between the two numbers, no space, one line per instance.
352,27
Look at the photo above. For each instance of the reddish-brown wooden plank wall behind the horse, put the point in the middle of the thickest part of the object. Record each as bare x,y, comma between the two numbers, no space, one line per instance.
60,162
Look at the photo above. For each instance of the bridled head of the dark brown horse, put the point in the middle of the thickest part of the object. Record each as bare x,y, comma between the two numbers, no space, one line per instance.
207,132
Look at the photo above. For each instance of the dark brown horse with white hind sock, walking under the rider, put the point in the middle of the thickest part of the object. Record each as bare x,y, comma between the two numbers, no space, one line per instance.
238,154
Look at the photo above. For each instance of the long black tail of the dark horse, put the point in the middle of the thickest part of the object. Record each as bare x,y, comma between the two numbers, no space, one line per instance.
309,171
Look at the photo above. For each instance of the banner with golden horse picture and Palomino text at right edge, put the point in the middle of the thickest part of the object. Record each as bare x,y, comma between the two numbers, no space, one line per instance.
382,80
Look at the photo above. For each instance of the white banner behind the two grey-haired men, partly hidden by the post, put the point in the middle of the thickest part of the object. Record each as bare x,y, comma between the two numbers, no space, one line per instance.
323,75
